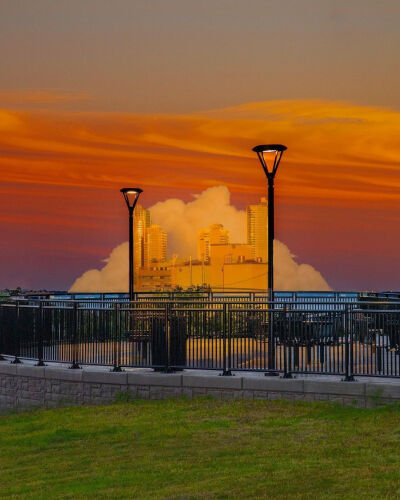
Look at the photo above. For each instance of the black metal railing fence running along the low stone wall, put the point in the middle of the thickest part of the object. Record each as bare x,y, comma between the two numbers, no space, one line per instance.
347,339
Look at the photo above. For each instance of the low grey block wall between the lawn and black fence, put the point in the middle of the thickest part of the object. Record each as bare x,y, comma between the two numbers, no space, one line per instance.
24,386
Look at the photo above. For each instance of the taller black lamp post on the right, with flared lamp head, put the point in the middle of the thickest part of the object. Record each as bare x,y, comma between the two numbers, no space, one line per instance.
270,156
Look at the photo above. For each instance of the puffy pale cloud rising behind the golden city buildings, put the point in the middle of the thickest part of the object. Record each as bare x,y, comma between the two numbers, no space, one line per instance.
181,221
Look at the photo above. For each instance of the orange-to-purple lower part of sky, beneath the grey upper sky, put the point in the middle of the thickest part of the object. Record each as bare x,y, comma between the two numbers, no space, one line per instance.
338,187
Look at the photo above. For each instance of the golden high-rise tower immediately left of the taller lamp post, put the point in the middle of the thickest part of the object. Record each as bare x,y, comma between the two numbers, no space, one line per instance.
257,230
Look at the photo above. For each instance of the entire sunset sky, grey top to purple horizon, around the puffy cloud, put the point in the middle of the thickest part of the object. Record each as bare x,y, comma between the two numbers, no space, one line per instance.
171,97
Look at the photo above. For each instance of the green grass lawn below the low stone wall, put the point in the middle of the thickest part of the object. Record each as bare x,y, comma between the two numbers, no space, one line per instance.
201,448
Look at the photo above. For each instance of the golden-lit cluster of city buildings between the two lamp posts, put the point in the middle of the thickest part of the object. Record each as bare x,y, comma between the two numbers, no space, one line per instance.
220,265
